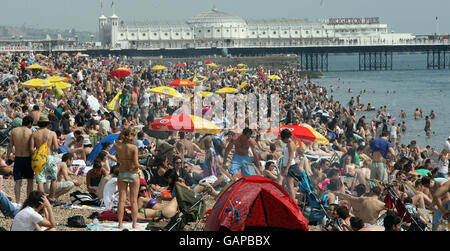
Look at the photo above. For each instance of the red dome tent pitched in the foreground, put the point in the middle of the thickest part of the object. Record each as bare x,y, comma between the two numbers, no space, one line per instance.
255,202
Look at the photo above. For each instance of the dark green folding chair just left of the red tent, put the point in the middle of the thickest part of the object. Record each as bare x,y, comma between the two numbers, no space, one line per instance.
192,208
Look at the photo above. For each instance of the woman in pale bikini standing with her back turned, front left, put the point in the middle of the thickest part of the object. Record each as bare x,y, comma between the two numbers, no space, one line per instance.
127,156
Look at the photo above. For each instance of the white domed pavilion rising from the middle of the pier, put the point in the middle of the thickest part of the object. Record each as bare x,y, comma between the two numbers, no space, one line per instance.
215,24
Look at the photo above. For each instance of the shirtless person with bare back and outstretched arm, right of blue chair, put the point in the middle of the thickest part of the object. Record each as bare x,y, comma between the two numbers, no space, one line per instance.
366,208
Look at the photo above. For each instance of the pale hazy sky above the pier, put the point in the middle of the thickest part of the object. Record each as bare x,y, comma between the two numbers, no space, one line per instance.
412,16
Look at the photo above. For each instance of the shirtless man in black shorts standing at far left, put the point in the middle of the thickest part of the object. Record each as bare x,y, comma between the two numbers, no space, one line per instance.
20,140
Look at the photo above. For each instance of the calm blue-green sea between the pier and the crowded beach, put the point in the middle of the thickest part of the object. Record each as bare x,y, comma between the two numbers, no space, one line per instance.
414,87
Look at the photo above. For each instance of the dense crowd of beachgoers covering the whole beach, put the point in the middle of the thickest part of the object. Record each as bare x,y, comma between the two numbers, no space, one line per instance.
364,162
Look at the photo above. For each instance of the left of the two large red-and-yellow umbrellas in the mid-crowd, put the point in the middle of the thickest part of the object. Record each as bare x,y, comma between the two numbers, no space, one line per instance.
185,123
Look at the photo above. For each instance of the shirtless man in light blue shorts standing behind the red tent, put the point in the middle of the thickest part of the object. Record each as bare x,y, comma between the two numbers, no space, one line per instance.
241,159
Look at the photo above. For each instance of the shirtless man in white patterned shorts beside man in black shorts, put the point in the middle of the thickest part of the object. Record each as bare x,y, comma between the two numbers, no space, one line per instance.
50,170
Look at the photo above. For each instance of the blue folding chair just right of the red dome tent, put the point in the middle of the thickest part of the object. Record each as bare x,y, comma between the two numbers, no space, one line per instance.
317,207
